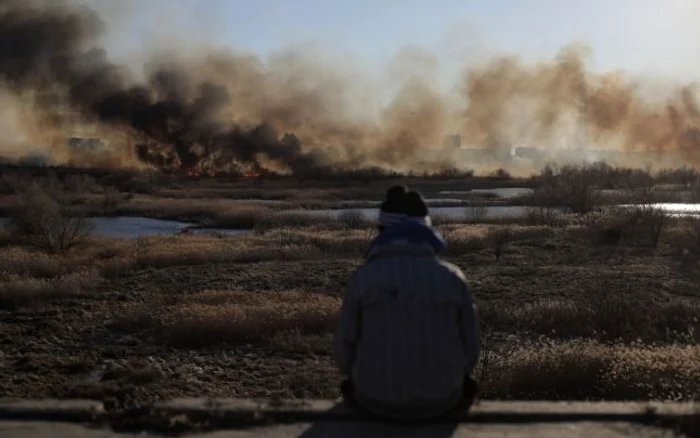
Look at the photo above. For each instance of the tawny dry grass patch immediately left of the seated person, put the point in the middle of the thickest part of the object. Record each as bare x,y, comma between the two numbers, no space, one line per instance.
216,317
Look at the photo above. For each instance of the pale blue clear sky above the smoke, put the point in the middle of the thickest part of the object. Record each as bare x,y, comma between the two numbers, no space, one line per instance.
642,37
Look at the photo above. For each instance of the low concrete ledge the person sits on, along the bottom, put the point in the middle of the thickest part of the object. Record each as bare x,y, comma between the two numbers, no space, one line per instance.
197,414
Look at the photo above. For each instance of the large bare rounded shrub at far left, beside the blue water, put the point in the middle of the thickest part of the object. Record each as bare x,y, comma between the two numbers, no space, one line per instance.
46,223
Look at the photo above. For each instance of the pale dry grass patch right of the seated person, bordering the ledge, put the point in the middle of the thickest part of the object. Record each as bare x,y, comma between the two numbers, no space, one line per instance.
587,370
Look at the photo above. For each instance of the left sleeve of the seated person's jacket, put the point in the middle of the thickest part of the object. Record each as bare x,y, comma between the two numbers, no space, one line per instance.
348,330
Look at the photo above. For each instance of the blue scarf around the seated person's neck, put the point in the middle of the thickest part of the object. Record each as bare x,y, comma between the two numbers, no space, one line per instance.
410,231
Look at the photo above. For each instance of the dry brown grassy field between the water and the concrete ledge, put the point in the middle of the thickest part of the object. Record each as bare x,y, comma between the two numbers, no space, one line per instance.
580,306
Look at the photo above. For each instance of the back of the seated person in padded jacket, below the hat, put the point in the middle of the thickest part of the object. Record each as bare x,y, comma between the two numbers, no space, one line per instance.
408,336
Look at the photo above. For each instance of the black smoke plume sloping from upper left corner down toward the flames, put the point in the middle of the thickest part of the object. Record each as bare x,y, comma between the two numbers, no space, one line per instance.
51,45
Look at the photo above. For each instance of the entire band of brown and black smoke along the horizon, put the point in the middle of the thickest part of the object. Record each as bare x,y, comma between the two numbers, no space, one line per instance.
215,110
